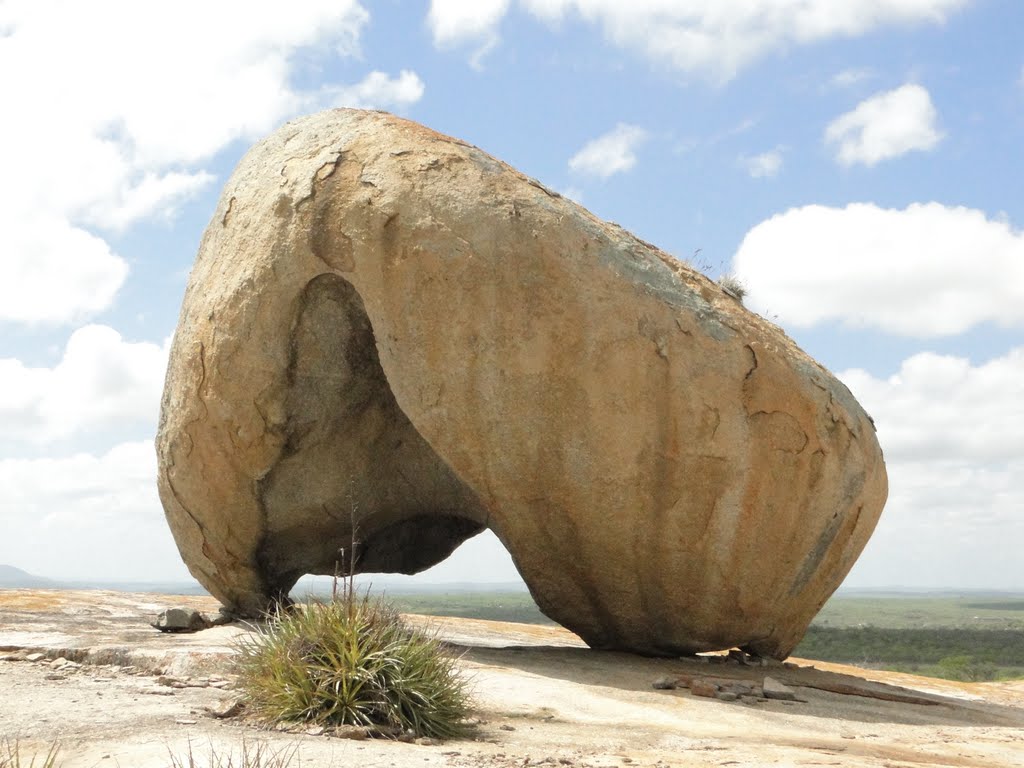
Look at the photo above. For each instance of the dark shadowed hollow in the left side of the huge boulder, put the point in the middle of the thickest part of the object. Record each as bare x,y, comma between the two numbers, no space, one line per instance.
353,458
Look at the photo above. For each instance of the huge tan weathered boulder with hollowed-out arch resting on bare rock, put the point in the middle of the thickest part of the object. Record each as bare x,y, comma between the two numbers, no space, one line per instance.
389,326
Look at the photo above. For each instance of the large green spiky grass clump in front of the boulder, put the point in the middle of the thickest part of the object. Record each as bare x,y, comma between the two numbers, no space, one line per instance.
353,662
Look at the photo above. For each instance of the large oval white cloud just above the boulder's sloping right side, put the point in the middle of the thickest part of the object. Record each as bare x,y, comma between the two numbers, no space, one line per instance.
926,272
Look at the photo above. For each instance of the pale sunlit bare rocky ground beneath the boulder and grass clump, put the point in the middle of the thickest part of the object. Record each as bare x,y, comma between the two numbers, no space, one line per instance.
542,699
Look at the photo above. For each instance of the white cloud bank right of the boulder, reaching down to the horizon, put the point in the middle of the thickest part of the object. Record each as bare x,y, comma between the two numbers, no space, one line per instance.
956,473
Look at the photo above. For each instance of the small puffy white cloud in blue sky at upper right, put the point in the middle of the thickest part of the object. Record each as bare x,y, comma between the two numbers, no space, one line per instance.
886,126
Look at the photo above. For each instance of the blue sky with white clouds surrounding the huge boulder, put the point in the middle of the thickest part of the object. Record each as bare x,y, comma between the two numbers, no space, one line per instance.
857,164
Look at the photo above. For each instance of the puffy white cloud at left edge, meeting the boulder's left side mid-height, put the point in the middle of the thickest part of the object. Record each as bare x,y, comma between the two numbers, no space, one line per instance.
103,382
